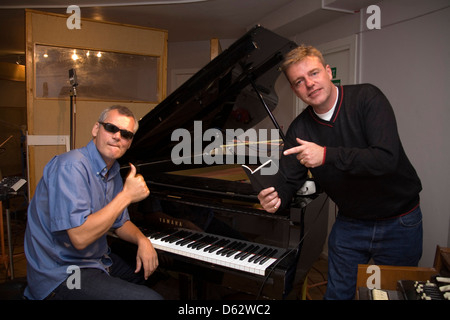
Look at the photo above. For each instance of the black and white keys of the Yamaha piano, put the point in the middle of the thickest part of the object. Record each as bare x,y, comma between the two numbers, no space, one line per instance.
236,254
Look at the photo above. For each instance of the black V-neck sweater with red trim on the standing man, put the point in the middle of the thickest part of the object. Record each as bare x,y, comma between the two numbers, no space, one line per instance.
365,171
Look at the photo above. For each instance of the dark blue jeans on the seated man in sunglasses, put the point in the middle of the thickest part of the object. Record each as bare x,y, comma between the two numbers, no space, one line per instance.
121,284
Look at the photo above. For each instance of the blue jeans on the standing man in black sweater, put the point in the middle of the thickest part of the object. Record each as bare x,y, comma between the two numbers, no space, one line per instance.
396,241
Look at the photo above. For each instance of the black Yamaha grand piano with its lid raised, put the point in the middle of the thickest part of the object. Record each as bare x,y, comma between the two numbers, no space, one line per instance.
203,218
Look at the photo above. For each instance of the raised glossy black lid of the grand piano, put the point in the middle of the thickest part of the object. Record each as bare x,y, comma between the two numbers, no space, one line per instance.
220,95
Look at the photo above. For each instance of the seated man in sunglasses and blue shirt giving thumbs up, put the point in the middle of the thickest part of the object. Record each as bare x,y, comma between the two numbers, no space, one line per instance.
80,198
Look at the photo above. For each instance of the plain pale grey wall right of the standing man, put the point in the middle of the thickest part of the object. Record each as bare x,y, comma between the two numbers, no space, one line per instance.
409,61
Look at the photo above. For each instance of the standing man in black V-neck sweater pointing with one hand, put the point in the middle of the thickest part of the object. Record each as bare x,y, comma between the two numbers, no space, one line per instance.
347,138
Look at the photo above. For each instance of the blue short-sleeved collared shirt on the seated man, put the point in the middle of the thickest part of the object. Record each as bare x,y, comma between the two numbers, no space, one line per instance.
73,186
